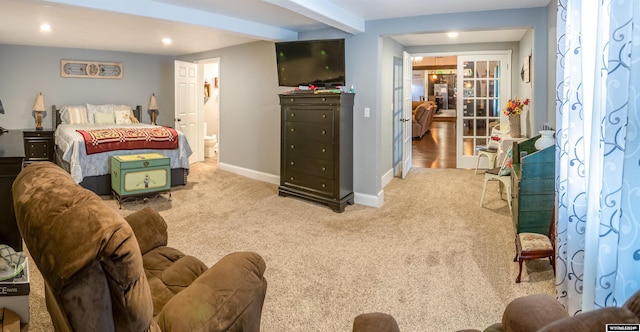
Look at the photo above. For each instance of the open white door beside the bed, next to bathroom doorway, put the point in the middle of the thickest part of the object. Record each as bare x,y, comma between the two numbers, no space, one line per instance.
186,108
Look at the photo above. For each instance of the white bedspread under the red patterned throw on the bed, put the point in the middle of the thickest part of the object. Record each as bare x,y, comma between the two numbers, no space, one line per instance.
81,165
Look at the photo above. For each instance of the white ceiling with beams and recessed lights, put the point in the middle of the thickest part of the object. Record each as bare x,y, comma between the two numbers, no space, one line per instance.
200,25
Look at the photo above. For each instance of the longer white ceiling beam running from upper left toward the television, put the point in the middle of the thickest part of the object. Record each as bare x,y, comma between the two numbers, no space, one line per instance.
159,10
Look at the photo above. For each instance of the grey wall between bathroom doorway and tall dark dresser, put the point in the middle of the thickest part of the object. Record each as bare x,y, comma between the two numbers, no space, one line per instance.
249,109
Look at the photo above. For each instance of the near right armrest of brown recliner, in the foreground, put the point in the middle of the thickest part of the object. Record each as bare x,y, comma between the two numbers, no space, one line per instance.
227,297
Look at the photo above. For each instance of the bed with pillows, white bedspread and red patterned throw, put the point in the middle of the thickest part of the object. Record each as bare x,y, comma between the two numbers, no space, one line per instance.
90,168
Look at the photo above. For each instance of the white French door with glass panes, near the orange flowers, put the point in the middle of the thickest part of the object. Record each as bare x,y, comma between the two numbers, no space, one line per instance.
483,85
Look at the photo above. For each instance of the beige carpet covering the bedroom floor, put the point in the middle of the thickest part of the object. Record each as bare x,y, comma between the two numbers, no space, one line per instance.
430,256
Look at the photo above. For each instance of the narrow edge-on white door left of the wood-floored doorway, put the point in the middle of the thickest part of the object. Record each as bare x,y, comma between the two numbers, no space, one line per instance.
407,69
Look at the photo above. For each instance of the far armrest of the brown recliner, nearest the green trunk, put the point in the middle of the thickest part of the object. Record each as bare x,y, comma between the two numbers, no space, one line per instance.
149,227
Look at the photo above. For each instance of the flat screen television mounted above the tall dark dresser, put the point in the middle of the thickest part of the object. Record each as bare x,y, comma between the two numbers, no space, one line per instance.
311,62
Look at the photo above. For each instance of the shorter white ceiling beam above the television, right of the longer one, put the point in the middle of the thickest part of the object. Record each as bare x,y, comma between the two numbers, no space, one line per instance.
325,12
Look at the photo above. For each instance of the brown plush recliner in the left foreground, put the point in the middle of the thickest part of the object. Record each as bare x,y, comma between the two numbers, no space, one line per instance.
105,273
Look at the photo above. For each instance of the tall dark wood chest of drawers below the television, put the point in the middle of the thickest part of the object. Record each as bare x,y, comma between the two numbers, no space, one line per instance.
317,148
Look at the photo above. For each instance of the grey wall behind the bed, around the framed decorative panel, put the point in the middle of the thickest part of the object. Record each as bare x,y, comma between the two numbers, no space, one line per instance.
28,70
